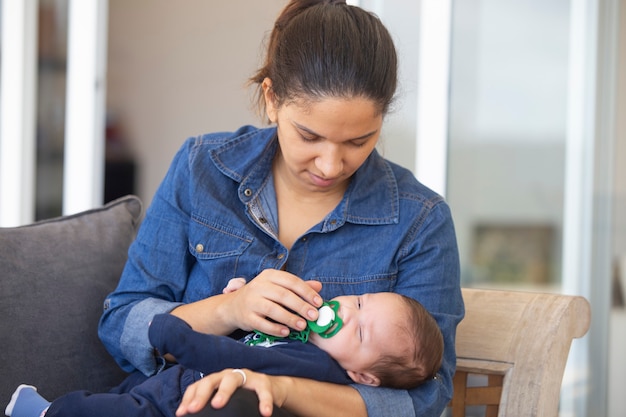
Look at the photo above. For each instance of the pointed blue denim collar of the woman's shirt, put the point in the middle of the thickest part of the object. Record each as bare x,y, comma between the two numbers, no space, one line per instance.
371,198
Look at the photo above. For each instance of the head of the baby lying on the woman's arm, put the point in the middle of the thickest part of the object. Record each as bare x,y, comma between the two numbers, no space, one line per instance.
387,339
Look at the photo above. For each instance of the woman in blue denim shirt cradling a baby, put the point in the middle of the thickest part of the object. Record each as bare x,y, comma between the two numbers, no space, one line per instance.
304,211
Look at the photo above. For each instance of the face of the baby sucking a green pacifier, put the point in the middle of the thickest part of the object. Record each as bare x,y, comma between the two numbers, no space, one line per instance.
371,323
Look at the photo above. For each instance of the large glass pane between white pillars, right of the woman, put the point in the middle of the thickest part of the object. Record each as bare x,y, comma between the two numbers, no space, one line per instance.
508,103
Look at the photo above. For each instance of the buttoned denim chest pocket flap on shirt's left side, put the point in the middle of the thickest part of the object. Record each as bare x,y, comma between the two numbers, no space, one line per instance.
210,239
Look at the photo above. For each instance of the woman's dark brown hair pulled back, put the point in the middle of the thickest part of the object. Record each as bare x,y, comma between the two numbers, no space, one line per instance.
325,48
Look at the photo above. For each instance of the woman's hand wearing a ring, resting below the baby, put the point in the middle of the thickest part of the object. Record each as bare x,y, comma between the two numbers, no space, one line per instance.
220,386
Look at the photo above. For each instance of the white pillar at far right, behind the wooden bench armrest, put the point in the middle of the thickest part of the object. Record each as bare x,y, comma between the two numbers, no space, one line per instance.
587,229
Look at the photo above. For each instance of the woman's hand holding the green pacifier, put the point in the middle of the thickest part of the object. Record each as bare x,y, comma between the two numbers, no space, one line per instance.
273,302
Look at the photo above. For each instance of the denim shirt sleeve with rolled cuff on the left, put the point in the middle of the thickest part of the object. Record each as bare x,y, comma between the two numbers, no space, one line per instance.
147,286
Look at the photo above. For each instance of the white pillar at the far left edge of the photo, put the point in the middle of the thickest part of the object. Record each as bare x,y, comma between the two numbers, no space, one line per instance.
17,112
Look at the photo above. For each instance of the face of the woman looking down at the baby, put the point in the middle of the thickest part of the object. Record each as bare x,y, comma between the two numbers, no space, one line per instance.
323,142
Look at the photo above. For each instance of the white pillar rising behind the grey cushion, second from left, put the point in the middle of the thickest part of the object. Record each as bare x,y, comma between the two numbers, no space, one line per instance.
83,183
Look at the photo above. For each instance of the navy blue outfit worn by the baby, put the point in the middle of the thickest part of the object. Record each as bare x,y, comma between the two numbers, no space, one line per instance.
197,354
